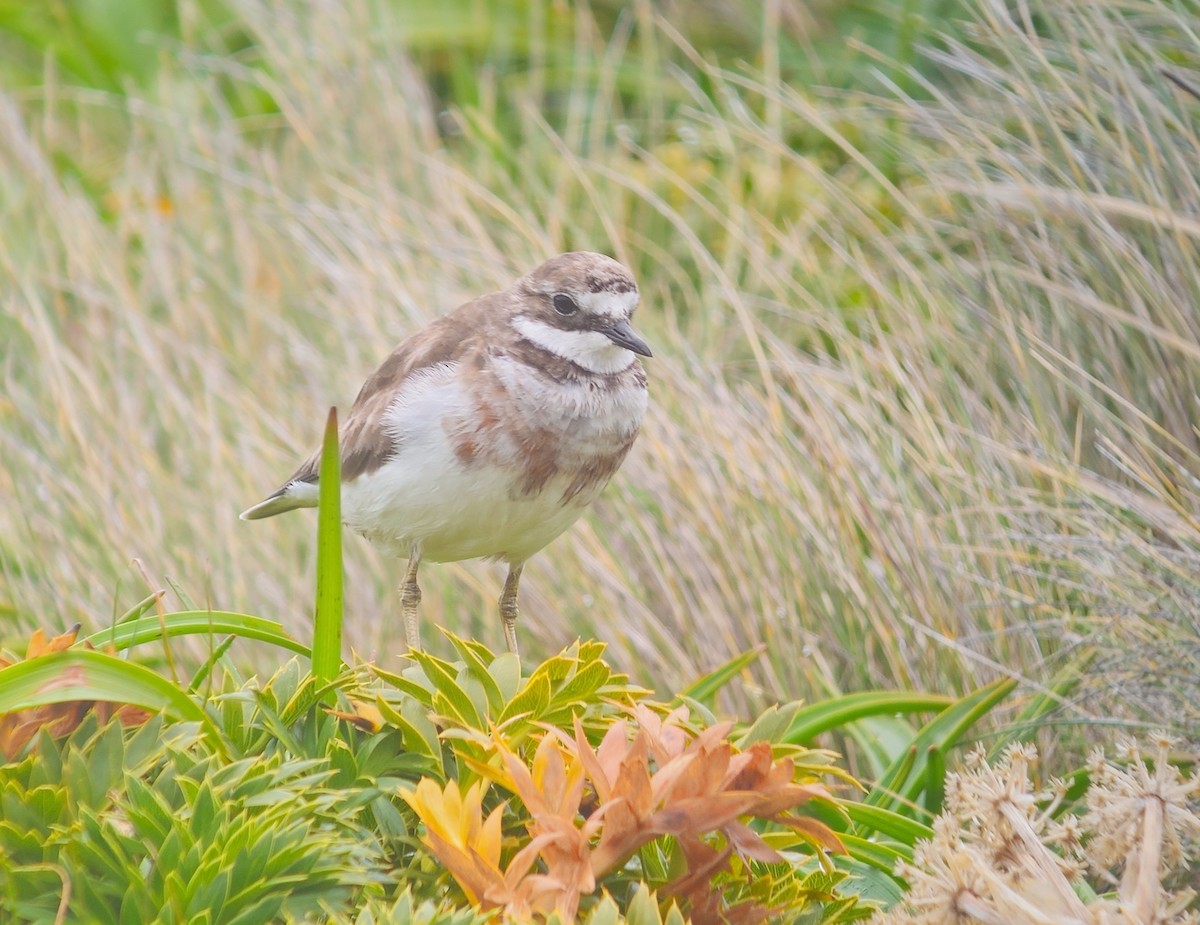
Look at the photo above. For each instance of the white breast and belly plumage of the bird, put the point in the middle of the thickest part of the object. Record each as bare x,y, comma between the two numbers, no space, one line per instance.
428,497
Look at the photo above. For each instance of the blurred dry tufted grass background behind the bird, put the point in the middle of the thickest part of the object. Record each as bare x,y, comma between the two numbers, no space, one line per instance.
921,279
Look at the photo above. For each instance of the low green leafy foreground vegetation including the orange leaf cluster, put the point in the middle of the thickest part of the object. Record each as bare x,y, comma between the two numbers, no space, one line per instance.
254,802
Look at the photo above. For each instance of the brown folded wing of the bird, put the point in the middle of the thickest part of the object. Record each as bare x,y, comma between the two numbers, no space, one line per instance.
365,443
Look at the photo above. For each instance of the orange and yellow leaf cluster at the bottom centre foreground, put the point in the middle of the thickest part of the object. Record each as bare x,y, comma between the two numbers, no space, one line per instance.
591,810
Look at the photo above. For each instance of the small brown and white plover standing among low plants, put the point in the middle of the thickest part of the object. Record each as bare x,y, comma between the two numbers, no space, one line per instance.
490,431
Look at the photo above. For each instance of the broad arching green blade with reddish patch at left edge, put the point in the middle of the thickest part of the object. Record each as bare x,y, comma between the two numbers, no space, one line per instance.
81,675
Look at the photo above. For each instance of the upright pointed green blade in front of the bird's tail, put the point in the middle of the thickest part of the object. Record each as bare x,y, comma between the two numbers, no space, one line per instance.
327,641
